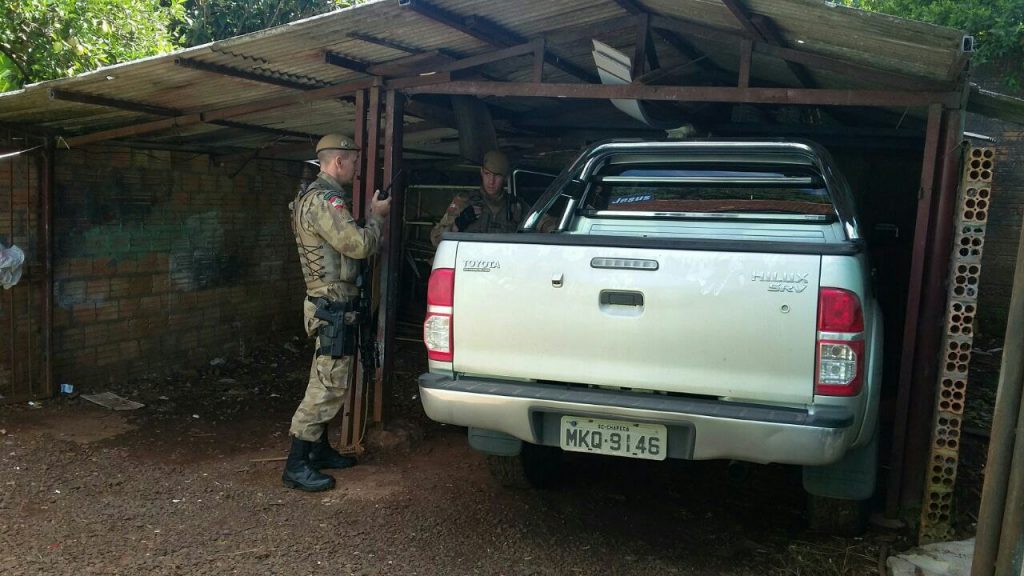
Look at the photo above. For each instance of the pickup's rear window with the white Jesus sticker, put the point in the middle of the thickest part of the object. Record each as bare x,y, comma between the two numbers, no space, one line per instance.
743,190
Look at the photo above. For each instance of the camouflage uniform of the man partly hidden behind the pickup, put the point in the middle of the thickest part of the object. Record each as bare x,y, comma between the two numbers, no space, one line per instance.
484,217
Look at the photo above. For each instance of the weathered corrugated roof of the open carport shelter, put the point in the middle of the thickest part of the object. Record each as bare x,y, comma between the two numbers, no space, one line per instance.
290,59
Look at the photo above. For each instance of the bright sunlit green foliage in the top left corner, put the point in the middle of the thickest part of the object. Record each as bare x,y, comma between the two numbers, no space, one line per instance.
47,39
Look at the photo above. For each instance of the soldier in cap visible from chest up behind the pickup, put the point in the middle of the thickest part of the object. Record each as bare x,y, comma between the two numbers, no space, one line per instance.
489,210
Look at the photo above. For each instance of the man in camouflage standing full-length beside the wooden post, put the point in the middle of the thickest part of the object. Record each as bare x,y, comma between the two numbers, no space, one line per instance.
330,244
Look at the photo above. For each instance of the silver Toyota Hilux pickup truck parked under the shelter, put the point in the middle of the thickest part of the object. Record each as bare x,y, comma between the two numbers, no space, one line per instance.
696,300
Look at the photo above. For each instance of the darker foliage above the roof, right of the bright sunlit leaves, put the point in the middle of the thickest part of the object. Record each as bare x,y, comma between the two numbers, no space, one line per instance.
206,21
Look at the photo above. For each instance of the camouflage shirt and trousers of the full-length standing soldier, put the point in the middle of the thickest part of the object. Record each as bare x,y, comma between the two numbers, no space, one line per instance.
330,243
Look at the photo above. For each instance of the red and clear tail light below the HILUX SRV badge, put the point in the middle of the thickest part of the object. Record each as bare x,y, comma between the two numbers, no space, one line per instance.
840,347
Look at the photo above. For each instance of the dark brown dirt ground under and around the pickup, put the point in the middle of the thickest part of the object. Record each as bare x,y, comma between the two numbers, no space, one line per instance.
181,487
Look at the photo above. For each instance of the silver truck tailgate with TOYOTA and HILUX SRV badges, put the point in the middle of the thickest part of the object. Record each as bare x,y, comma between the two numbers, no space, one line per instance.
741,325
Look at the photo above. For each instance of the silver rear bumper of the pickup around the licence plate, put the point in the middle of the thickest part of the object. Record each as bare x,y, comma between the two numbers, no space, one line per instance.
699,429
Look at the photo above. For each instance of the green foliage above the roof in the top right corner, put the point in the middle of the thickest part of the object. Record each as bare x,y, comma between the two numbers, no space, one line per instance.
997,25
